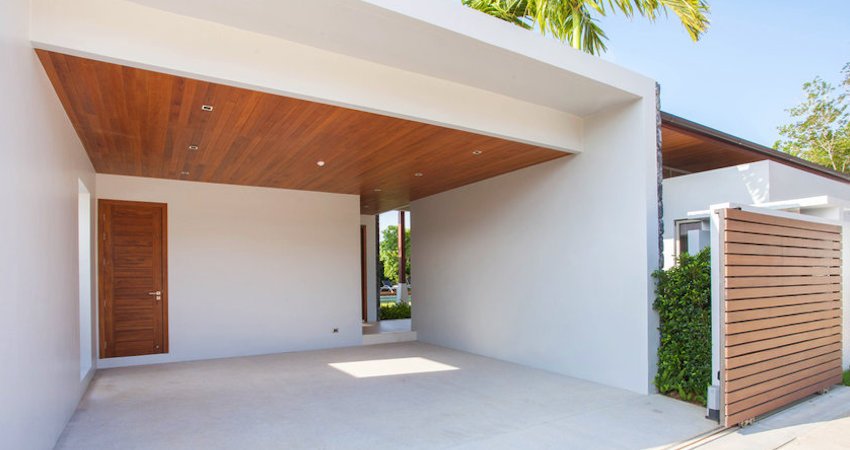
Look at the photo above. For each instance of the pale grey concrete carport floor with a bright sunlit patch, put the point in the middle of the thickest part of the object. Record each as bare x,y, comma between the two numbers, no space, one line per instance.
408,395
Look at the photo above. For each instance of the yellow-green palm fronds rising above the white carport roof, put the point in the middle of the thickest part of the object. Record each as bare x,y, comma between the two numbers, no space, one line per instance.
573,21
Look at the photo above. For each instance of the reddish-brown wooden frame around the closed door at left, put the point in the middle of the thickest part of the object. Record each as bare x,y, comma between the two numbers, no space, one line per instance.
101,300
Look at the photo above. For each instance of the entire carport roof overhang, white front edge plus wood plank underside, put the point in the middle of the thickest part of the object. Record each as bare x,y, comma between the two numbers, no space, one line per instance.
380,92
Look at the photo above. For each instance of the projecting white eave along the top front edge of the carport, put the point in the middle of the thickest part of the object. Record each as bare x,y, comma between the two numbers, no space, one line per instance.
439,38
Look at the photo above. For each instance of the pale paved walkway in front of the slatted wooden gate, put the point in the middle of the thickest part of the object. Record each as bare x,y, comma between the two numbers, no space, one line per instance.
820,422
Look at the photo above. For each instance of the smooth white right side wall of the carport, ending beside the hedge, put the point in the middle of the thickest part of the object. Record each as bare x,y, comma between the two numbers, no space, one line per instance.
550,266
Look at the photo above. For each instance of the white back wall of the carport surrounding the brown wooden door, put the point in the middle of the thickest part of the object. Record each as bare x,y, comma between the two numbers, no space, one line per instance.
252,270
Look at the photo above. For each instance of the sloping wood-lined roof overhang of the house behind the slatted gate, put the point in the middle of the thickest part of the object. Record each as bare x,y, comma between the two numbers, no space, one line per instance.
689,147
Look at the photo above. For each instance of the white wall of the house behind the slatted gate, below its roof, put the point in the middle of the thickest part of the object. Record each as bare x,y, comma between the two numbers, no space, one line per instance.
756,184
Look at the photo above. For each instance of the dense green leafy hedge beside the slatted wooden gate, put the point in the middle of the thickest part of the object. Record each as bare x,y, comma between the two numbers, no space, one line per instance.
683,302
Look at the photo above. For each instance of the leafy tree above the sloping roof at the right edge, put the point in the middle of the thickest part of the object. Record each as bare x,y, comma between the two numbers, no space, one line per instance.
820,131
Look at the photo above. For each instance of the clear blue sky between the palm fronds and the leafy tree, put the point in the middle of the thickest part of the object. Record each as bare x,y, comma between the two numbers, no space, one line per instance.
747,70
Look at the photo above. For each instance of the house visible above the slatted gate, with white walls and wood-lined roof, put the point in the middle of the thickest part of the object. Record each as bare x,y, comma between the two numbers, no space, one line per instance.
704,167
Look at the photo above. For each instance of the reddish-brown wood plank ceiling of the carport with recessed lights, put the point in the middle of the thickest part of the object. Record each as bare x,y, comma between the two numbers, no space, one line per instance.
144,123
